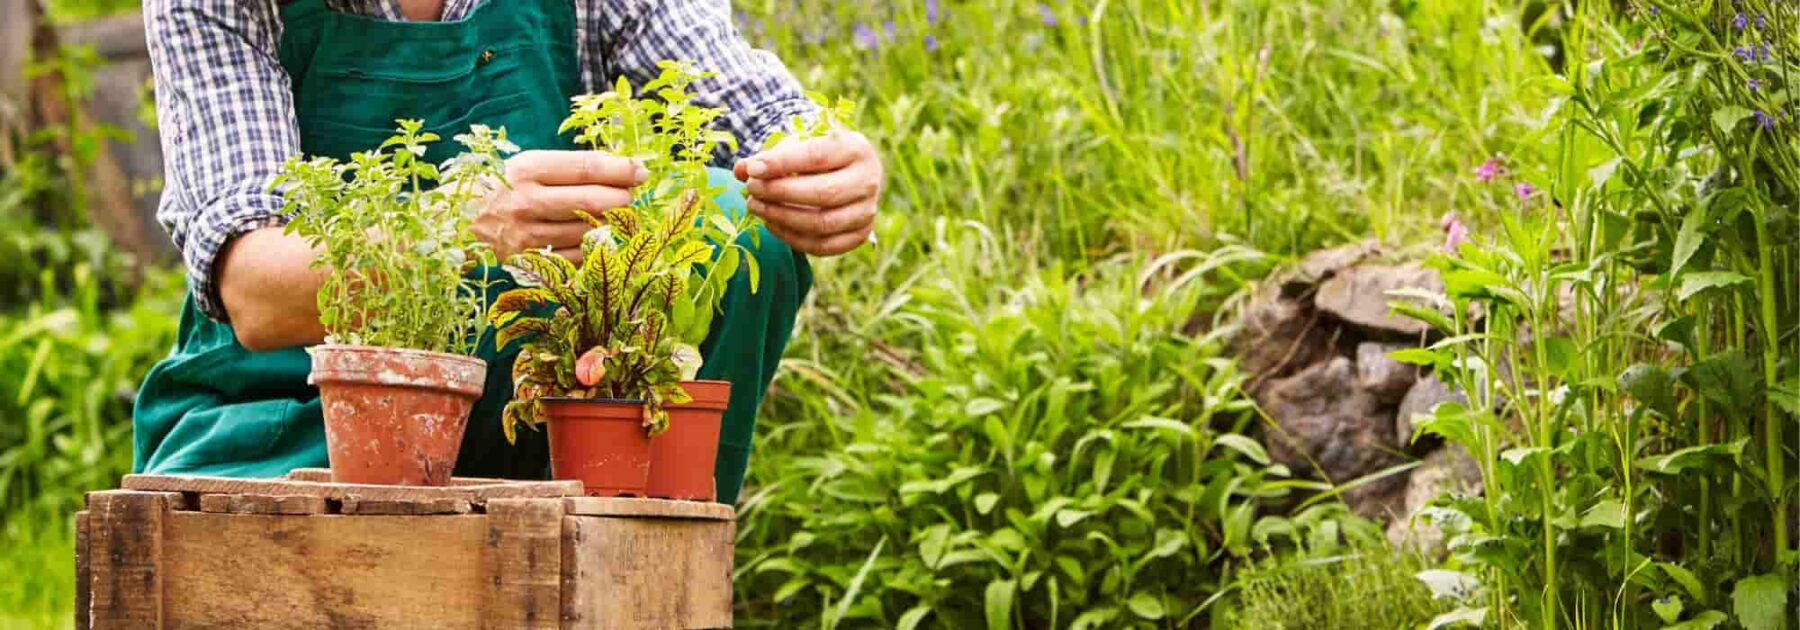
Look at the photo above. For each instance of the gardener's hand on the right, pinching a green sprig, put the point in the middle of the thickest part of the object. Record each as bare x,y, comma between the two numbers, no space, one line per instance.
818,195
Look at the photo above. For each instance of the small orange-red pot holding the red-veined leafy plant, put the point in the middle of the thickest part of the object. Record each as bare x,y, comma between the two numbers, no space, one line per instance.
600,444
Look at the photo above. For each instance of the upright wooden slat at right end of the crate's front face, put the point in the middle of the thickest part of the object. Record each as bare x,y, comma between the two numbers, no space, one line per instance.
523,564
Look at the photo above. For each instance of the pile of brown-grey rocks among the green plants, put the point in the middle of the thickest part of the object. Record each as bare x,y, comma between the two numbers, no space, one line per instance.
1315,345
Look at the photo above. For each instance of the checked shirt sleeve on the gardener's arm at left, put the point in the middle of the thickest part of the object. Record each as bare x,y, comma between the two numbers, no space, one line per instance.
226,114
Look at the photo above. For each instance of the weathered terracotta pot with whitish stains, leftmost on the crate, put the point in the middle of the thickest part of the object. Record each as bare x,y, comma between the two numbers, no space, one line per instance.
395,417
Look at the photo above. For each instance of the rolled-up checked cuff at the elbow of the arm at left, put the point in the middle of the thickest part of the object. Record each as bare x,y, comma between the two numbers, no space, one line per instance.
211,231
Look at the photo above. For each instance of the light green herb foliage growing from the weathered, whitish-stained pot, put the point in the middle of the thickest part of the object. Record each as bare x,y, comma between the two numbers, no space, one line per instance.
391,229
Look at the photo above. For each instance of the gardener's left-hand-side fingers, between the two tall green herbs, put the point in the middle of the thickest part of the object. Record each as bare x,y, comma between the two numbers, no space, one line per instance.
548,188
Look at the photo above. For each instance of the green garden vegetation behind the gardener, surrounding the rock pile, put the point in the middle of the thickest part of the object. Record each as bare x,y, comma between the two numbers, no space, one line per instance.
1016,411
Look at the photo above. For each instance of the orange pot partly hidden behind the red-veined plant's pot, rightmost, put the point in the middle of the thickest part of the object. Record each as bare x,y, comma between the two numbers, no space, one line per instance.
683,456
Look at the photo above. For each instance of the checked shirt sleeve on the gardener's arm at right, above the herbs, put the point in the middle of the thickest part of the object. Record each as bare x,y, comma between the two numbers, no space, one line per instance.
759,93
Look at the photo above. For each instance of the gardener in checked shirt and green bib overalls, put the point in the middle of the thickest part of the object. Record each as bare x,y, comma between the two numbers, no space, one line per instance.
242,85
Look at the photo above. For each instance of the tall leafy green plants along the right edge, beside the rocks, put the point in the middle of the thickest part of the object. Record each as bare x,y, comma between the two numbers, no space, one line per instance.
1626,336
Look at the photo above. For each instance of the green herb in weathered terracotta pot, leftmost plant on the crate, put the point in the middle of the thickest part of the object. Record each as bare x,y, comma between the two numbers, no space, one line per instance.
391,231
